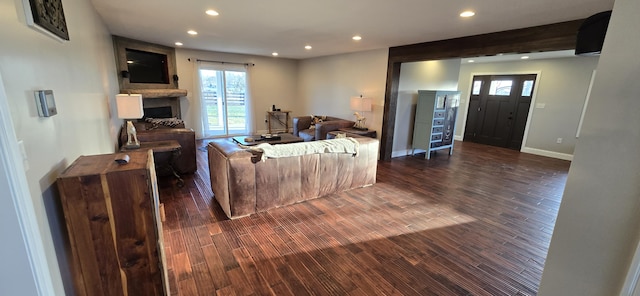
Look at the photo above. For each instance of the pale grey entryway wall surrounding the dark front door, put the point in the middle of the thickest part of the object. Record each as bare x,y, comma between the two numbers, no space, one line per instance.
562,87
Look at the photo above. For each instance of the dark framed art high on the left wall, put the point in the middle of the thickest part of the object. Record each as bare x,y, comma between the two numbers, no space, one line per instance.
47,15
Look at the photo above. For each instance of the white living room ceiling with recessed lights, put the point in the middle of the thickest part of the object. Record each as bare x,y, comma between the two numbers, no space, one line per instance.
260,27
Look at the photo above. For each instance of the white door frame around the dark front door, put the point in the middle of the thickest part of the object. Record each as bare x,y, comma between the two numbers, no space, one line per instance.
534,96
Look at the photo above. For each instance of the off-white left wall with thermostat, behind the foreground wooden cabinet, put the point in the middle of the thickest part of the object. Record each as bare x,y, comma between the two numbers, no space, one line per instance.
81,73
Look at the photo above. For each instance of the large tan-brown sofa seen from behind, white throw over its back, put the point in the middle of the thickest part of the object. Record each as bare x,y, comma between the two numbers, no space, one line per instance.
243,184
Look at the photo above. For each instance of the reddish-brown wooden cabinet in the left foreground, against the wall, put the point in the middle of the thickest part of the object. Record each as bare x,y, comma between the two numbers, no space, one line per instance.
113,220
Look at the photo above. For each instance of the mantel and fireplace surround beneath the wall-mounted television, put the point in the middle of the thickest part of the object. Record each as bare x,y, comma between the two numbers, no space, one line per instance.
153,98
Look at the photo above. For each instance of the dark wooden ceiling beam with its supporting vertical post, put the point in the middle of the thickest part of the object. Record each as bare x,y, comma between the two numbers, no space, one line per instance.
553,37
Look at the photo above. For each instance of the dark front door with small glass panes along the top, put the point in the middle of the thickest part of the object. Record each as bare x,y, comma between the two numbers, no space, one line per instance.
498,109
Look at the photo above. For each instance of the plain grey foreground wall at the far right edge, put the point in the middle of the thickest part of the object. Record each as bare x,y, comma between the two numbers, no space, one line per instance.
597,226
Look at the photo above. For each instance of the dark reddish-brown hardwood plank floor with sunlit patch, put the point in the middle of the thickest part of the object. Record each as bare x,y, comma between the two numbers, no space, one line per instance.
476,223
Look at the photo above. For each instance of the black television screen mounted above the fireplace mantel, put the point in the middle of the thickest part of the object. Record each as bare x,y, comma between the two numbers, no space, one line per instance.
147,67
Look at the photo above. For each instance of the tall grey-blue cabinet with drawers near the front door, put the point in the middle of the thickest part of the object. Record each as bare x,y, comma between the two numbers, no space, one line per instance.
435,121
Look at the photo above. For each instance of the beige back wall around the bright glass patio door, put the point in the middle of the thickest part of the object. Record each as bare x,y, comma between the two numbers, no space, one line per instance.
273,81
